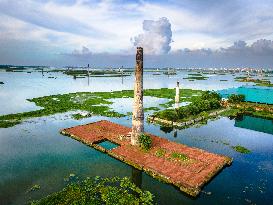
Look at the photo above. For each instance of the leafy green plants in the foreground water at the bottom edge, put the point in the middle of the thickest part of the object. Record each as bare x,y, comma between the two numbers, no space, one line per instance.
110,191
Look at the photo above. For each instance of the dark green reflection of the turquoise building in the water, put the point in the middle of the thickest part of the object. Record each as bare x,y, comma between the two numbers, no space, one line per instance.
254,123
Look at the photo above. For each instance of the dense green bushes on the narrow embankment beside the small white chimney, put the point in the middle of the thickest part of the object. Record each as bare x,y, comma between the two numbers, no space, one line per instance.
201,105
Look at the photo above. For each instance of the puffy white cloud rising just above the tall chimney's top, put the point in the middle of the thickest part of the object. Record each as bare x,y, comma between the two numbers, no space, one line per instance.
156,38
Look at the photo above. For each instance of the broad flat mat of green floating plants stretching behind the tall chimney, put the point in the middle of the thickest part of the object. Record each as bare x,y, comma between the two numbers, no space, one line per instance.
95,103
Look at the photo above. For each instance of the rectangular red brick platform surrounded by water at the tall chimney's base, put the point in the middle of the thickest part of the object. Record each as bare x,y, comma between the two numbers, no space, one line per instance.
189,175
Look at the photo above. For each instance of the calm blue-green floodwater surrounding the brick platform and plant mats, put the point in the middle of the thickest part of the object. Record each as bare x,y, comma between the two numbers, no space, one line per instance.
34,152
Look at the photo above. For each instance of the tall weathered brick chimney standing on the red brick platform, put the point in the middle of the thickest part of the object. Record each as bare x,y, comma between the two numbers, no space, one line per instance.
138,114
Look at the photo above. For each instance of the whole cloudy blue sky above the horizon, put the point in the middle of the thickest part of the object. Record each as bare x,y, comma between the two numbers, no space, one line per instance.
105,33
